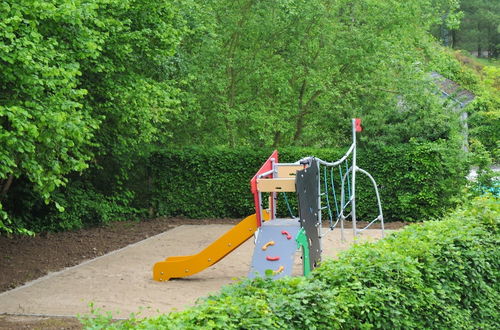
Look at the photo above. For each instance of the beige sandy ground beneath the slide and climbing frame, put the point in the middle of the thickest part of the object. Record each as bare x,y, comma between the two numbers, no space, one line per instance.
121,282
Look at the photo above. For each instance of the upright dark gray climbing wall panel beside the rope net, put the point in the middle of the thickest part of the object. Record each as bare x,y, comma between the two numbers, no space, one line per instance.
308,196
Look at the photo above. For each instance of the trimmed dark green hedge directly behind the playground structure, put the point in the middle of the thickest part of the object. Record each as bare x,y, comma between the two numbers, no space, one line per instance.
417,181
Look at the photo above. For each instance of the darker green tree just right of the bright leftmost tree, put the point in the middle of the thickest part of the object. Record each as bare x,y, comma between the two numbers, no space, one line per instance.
130,84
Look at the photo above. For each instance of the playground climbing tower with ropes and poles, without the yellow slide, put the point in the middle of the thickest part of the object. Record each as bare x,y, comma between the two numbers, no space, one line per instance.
304,178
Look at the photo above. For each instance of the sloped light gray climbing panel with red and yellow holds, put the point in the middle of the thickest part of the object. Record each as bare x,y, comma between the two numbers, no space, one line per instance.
275,248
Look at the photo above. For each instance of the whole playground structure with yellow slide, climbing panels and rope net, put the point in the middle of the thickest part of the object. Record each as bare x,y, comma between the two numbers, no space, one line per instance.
276,239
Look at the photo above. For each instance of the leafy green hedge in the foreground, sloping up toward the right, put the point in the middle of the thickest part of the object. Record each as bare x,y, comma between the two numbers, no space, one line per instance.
436,275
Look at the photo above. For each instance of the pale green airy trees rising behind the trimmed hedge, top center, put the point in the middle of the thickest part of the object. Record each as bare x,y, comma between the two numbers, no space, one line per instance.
294,72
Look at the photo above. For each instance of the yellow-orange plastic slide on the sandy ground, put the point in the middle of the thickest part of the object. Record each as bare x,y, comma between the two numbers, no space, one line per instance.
182,266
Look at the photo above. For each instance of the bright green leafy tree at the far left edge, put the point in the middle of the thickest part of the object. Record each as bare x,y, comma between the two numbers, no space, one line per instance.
45,130
